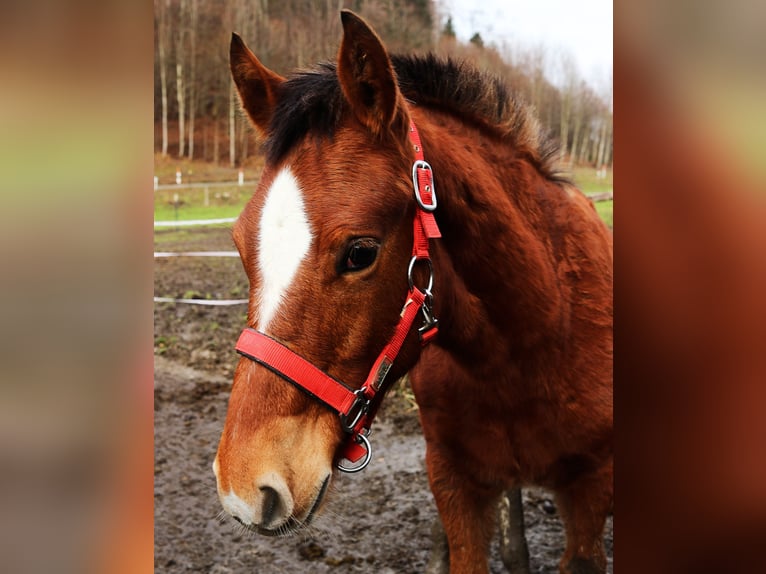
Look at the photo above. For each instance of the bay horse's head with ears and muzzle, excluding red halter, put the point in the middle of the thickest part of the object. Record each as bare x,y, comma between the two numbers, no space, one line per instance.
325,241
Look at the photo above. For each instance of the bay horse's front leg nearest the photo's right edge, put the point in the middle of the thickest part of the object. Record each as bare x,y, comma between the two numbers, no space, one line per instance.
584,505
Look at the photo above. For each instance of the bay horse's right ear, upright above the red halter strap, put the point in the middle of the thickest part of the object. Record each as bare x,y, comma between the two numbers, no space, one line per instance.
366,75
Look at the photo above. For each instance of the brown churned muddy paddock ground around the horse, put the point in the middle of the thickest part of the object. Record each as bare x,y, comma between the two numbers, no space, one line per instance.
378,521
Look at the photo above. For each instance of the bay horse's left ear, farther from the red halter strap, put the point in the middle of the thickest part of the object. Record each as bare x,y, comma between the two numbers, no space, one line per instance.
257,85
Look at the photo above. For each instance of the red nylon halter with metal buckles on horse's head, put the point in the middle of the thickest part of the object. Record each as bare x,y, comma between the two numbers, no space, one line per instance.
357,408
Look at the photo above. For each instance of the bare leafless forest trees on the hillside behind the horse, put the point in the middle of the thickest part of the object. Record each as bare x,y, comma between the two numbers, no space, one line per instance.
196,108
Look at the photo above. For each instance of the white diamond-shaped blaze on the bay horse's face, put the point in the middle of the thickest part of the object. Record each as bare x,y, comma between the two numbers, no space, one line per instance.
285,238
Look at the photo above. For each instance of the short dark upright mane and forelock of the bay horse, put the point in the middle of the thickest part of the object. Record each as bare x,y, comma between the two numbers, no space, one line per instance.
311,101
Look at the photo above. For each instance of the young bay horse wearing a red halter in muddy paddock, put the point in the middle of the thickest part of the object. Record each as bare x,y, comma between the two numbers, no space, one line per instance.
406,201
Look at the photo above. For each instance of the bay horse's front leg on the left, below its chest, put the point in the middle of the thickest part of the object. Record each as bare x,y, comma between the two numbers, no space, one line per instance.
467,513
